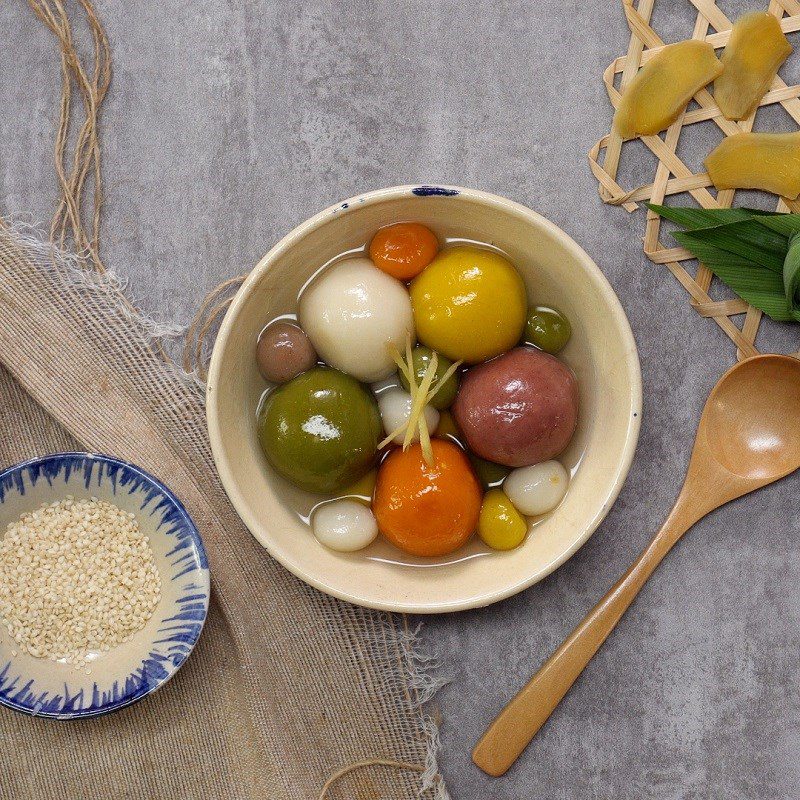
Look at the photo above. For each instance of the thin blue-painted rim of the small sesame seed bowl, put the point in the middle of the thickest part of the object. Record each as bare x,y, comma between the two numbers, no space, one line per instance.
194,534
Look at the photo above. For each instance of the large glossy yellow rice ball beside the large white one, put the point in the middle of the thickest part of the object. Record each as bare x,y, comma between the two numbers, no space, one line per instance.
469,304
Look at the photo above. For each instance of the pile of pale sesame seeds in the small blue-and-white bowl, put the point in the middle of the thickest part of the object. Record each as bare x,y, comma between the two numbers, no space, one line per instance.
76,577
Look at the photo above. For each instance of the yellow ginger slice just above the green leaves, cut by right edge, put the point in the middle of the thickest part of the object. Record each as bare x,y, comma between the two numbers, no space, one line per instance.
768,161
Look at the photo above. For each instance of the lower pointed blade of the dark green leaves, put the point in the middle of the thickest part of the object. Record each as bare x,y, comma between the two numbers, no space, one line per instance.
761,287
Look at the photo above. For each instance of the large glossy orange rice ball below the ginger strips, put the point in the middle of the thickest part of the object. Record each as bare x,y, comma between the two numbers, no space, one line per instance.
427,510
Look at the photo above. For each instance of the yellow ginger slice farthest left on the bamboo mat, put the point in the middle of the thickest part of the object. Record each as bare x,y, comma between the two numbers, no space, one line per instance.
663,86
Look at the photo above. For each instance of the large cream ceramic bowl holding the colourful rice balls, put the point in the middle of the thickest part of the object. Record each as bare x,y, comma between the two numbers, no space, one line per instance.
602,353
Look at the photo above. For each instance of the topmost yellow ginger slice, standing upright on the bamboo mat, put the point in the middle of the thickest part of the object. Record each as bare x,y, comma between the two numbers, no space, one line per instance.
754,54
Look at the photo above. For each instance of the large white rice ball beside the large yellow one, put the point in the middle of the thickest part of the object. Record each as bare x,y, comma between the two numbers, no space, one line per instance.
351,312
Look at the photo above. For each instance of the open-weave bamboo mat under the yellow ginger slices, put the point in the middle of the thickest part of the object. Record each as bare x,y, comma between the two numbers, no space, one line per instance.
737,319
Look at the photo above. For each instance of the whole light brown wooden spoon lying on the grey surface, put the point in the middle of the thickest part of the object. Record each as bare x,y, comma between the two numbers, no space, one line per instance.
749,436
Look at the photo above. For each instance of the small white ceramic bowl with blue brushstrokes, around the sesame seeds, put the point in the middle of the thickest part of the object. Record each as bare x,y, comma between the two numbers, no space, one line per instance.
141,665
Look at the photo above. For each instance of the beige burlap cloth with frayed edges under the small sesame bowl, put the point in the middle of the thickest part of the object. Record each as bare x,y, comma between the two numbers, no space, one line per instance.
287,685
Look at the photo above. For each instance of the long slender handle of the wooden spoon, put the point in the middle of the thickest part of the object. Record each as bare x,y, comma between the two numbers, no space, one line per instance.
520,720
